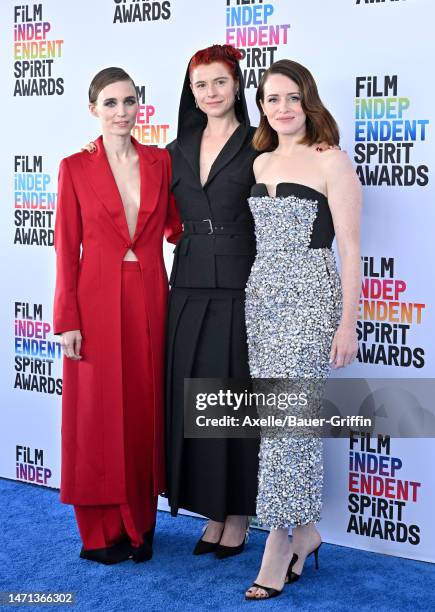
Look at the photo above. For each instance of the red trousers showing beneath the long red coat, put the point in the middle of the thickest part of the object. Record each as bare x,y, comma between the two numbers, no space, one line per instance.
103,526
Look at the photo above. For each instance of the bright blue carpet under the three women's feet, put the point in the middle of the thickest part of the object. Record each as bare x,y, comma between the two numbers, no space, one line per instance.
40,546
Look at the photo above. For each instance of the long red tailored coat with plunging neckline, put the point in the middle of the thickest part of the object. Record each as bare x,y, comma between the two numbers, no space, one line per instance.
91,239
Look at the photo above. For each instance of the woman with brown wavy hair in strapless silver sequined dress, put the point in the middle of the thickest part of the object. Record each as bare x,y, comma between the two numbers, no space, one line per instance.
301,319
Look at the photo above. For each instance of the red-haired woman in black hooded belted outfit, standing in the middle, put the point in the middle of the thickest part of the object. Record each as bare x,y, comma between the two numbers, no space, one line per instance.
212,162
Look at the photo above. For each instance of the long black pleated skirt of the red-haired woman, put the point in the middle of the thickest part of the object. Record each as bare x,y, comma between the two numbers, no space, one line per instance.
206,338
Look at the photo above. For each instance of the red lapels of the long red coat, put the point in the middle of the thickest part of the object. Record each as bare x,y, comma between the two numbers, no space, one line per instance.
100,176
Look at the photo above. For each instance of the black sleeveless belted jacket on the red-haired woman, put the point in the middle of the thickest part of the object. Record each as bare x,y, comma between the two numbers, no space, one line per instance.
210,260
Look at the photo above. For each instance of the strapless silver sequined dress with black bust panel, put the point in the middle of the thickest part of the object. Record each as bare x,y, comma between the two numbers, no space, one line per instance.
293,307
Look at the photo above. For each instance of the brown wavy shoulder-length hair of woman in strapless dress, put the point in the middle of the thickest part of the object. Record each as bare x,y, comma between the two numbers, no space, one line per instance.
321,126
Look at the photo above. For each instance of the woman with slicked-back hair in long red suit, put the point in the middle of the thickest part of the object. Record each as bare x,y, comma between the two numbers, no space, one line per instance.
114,206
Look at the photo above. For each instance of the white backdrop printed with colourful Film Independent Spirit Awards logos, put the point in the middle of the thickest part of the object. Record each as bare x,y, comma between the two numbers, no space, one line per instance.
373,62
